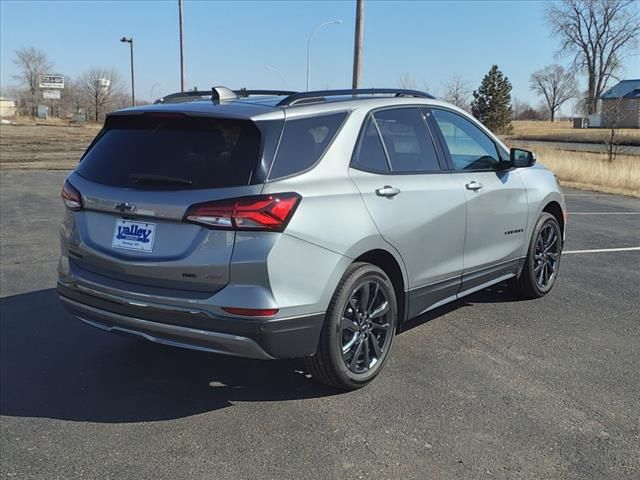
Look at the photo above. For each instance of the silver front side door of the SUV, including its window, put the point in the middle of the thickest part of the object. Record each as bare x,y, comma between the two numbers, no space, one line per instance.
496,200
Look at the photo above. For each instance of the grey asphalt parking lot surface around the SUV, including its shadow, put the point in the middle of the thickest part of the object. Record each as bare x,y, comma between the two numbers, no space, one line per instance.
490,387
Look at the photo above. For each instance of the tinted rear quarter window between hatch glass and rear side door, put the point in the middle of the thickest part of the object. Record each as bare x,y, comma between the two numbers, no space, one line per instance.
303,142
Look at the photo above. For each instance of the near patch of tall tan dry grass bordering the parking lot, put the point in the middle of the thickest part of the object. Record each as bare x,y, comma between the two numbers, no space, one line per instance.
593,171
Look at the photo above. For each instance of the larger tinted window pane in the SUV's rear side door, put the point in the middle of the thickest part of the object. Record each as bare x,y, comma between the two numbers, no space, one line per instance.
407,140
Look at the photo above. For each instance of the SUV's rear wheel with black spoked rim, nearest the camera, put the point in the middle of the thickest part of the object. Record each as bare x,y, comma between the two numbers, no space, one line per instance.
350,323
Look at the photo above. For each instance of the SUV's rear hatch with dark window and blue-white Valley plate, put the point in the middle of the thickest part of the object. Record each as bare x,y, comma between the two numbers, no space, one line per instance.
138,180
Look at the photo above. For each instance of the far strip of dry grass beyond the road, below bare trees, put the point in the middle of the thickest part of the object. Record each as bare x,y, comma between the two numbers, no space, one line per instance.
563,131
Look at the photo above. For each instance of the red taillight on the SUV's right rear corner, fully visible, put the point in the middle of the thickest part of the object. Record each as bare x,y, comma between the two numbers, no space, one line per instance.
264,212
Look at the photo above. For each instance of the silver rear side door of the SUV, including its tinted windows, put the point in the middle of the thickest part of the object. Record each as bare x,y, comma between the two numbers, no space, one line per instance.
415,206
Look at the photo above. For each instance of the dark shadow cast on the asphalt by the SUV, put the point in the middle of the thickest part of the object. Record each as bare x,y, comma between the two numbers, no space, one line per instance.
53,366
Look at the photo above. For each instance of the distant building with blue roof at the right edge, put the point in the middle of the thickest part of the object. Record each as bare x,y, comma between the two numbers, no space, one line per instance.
620,105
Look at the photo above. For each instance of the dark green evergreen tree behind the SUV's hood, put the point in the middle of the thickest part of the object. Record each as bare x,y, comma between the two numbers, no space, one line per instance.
492,101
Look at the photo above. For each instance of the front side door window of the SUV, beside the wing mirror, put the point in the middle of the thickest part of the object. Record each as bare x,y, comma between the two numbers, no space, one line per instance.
470,148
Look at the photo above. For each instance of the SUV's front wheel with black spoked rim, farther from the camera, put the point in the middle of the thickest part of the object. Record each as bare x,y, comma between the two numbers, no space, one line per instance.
539,263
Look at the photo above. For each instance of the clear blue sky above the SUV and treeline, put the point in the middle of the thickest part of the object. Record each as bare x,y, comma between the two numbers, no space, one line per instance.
230,42
